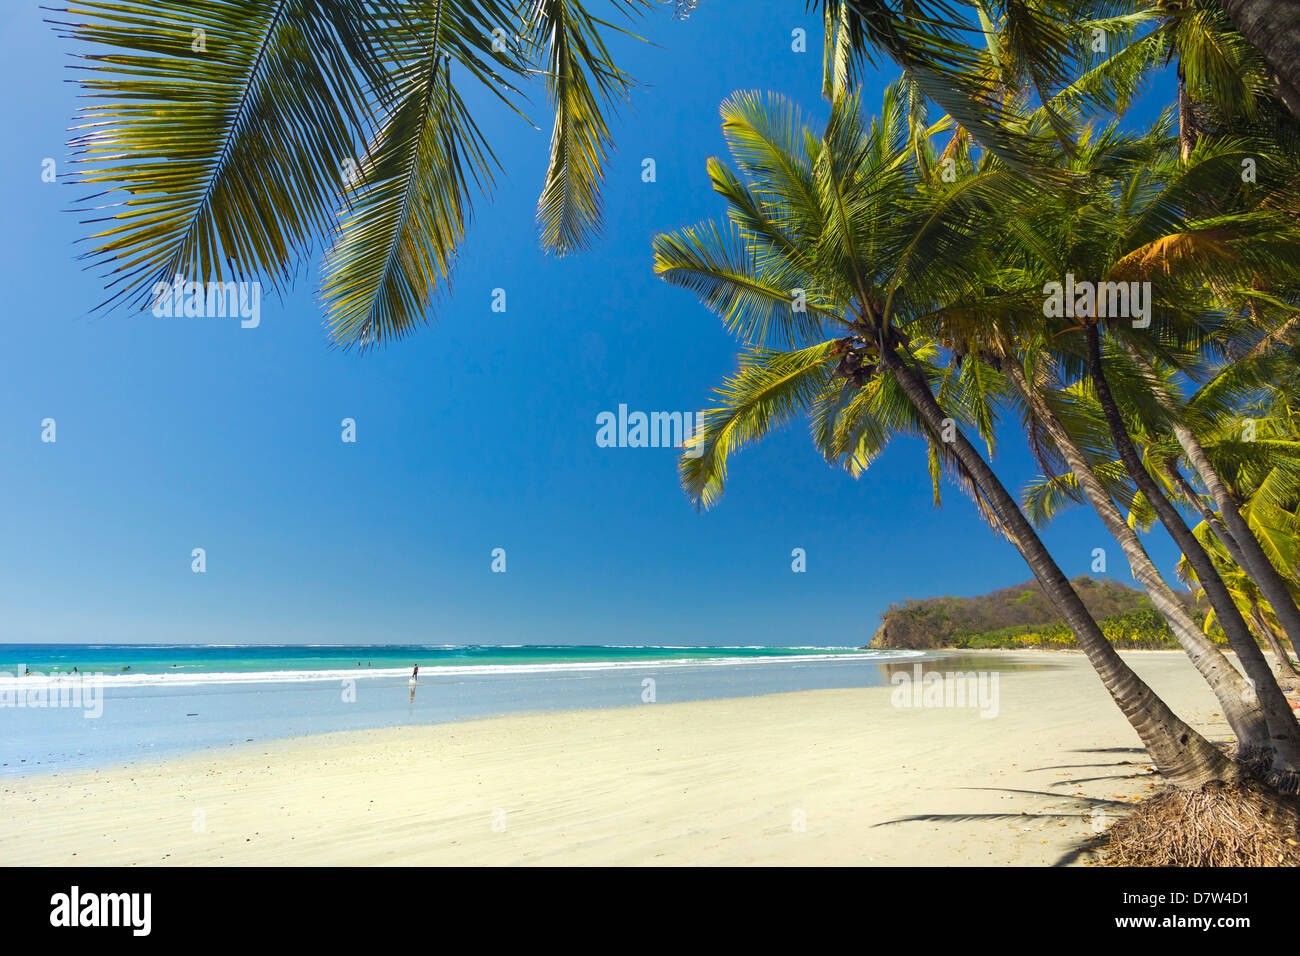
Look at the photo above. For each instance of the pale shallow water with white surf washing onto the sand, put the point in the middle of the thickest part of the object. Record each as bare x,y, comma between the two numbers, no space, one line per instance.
157,719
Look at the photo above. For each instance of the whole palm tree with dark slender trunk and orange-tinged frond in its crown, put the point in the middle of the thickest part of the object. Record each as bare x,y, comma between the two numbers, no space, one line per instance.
1136,223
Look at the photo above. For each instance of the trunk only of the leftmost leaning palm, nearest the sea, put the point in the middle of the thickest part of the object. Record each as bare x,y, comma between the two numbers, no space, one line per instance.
1184,756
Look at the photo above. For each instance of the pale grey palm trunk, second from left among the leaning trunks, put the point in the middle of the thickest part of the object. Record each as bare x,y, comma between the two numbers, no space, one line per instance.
1242,713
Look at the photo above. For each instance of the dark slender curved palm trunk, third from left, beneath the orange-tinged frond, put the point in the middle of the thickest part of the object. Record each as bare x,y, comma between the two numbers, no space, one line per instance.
1284,729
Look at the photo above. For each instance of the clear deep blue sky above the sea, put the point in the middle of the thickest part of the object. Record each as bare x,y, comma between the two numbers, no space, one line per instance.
478,432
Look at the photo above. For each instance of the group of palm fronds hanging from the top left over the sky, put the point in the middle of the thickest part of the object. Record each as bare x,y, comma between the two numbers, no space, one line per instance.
228,136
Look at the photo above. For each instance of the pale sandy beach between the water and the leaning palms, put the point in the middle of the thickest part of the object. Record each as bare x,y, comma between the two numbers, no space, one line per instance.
818,777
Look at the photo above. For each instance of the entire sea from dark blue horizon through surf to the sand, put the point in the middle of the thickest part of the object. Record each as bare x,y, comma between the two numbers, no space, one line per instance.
132,702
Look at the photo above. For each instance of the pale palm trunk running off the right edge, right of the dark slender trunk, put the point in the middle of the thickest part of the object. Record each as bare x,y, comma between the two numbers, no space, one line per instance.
1240,540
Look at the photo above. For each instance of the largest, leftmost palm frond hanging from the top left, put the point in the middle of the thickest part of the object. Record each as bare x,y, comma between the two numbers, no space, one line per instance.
219,129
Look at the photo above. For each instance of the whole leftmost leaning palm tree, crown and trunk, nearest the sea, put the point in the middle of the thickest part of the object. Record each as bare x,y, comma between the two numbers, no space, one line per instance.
840,233
